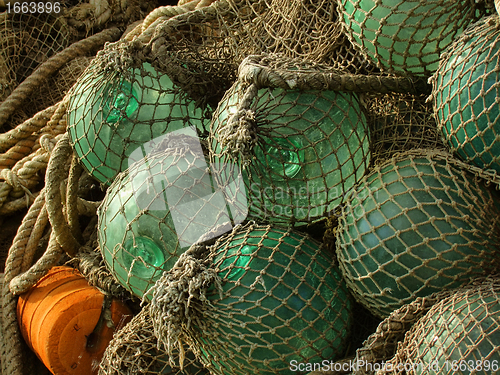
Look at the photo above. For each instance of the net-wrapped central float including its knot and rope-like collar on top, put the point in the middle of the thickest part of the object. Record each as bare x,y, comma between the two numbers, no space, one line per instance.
299,151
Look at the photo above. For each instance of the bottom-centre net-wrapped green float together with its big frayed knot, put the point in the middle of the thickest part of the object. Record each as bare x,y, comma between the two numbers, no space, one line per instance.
260,299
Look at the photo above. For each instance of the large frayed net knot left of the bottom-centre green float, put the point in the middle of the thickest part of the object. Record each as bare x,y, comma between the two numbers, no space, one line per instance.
180,302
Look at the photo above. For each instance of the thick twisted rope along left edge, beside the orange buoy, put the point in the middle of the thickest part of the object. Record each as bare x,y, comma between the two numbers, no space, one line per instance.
13,359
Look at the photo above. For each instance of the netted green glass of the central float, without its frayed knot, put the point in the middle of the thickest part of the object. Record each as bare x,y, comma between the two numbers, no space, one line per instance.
311,148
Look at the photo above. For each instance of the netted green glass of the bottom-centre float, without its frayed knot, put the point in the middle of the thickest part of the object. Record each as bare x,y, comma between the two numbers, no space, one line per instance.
283,300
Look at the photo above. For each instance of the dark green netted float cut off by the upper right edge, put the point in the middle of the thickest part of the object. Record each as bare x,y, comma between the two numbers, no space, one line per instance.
465,91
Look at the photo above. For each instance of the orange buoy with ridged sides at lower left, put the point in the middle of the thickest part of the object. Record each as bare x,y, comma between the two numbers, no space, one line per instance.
66,322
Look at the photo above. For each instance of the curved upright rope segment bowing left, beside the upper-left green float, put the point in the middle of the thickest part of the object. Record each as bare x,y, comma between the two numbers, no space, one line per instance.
56,173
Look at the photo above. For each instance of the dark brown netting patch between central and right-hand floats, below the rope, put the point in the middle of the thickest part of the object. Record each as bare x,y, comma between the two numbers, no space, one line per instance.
400,122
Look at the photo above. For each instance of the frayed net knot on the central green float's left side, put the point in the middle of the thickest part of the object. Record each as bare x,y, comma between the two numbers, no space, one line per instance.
238,136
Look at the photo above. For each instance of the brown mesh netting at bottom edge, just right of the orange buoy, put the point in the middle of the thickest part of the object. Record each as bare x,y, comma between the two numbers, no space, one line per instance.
134,350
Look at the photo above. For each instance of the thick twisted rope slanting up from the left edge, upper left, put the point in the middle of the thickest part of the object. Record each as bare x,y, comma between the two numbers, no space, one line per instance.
52,65
